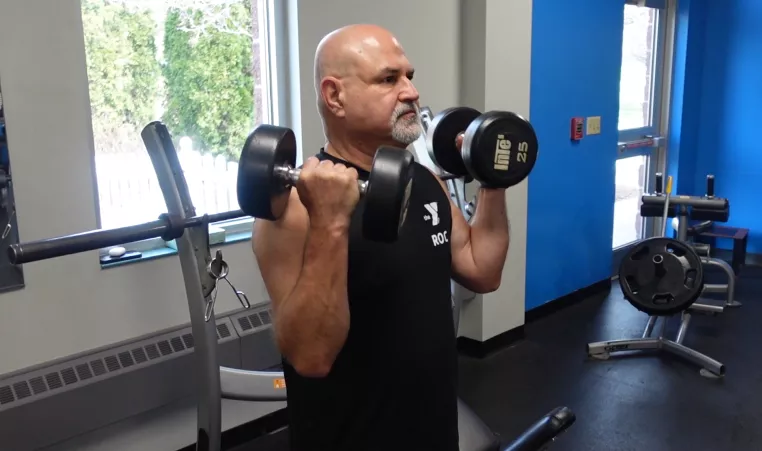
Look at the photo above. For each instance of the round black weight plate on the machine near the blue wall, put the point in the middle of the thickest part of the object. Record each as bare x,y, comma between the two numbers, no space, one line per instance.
661,276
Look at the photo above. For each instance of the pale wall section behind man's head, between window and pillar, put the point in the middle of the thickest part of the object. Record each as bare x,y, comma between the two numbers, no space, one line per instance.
427,29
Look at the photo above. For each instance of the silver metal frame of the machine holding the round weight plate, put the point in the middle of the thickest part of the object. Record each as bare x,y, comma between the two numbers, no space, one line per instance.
710,367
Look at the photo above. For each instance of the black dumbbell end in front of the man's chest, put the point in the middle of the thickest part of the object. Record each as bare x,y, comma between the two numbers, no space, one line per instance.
388,194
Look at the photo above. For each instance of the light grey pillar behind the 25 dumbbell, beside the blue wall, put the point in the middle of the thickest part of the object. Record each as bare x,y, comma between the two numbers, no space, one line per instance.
497,50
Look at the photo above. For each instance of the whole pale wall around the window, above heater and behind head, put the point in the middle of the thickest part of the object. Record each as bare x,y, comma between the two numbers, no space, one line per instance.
70,304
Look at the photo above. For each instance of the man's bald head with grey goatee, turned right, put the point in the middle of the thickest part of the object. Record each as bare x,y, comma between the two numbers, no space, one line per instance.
364,87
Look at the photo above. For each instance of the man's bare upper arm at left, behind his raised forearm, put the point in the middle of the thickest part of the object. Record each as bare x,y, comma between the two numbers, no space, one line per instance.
279,249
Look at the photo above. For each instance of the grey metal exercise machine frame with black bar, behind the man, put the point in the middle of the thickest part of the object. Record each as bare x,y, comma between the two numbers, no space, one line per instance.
201,273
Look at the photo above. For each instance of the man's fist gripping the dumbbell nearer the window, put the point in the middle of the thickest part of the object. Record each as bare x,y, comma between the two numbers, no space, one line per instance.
329,192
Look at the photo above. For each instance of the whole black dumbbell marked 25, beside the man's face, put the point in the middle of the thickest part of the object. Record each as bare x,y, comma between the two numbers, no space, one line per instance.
499,148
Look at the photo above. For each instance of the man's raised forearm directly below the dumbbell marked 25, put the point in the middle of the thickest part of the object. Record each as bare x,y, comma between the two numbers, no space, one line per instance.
489,233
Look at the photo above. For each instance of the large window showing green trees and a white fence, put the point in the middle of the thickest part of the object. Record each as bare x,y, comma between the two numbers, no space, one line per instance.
202,67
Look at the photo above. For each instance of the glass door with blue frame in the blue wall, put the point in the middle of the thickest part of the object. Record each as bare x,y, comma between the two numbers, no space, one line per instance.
643,106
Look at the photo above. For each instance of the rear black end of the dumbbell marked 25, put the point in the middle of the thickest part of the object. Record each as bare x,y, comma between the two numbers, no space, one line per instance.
441,138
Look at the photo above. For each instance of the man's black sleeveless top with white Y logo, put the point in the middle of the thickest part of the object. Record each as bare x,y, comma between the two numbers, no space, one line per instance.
393,386
